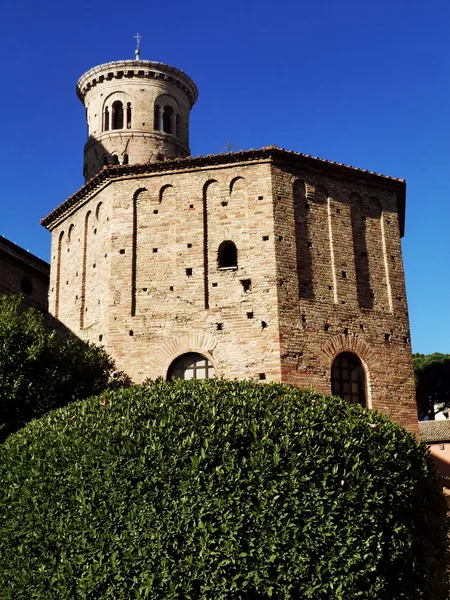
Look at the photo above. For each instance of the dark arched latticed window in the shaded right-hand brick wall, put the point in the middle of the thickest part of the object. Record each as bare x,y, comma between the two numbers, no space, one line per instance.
348,379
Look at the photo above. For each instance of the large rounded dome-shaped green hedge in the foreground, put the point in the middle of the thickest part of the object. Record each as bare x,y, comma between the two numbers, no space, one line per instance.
219,490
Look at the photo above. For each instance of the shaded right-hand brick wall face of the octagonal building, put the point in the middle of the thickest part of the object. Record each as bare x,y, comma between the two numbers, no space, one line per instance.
341,286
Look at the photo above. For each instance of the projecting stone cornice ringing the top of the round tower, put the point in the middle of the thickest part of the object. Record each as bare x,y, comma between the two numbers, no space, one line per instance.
139,69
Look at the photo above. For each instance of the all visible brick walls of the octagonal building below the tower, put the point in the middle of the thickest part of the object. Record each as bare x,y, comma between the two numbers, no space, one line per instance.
319,269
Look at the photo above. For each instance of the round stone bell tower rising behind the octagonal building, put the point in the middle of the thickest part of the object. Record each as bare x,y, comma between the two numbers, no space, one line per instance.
137,112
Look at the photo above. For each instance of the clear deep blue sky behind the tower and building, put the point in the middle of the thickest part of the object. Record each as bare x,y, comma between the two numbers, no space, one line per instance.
365,83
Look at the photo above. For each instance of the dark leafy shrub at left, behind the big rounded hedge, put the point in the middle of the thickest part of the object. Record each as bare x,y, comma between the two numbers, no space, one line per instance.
42,369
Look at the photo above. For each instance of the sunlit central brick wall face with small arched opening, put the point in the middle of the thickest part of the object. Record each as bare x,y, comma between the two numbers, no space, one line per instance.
170,297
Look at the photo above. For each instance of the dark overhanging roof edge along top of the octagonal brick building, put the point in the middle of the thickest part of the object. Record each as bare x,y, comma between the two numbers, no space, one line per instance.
267,153
